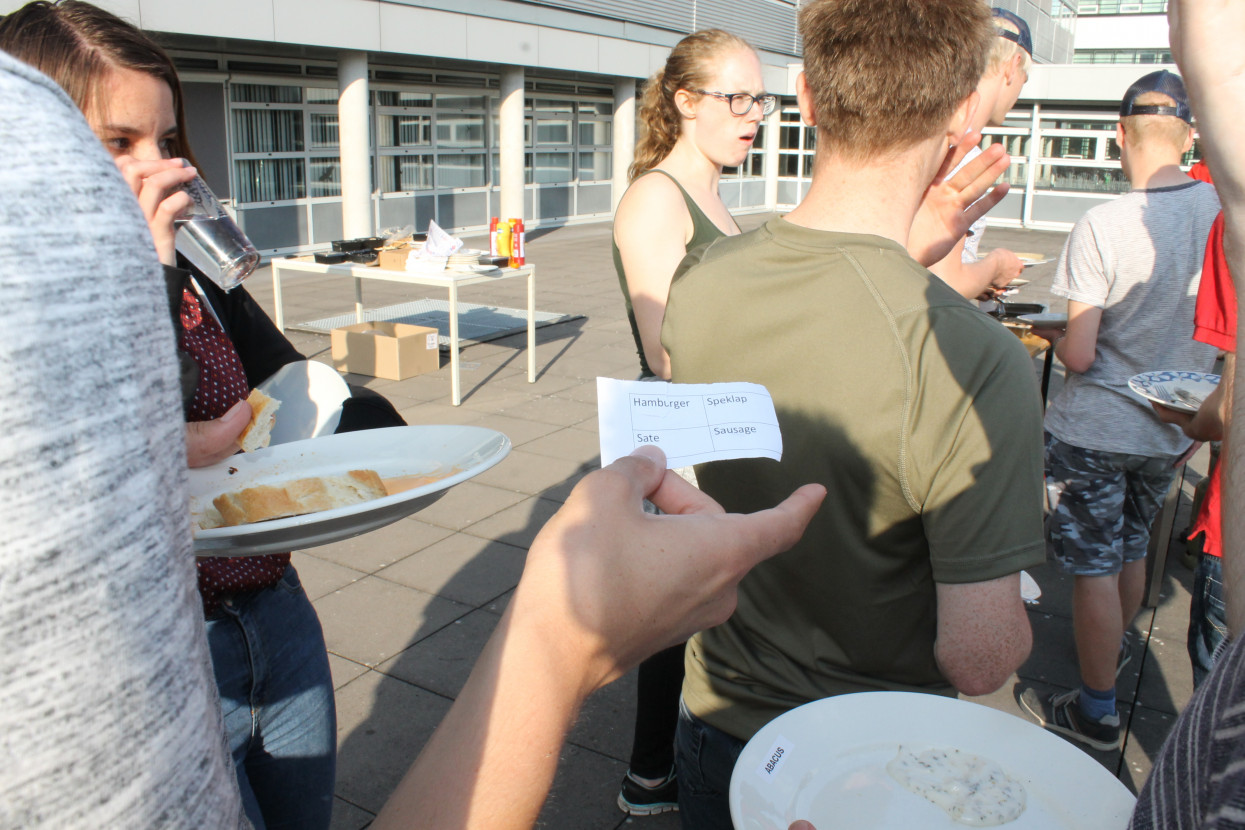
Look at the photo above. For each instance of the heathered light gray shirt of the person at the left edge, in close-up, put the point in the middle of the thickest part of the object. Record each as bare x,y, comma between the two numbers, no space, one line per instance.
109,715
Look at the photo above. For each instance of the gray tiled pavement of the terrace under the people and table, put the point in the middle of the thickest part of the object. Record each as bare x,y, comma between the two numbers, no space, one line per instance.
408,608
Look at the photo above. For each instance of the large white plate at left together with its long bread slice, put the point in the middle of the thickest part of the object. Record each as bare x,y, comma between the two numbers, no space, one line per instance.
337,486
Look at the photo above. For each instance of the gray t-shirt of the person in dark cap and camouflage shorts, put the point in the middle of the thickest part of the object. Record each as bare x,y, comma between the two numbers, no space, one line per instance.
1137,258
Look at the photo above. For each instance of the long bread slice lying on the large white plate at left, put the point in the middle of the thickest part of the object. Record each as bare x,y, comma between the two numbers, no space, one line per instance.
298,497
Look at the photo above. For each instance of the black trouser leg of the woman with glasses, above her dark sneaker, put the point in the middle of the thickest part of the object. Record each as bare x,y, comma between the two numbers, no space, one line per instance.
657,714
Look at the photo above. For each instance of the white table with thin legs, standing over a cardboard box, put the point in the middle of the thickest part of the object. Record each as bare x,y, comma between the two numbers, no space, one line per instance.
449,281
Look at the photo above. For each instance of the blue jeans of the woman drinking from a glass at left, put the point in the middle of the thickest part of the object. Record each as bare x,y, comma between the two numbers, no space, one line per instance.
272,671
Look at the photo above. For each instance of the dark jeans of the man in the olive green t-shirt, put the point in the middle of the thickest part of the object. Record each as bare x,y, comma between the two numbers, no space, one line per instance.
704,758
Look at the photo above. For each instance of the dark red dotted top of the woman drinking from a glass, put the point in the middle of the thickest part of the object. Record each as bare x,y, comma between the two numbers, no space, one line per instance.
222,384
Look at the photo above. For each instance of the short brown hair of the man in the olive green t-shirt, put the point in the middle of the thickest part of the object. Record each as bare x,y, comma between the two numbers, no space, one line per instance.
888,74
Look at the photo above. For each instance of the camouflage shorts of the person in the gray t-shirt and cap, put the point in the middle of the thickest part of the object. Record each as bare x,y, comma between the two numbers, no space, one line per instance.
1101,506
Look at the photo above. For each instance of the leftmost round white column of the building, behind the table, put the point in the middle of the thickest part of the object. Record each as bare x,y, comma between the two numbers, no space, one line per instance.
357,164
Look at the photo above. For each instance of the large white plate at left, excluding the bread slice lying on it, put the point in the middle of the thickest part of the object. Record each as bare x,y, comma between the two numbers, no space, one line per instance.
460,452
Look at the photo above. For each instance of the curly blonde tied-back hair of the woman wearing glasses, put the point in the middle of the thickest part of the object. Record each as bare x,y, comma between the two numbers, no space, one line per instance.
688,68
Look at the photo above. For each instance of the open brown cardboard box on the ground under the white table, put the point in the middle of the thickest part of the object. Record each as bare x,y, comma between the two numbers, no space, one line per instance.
390,350
